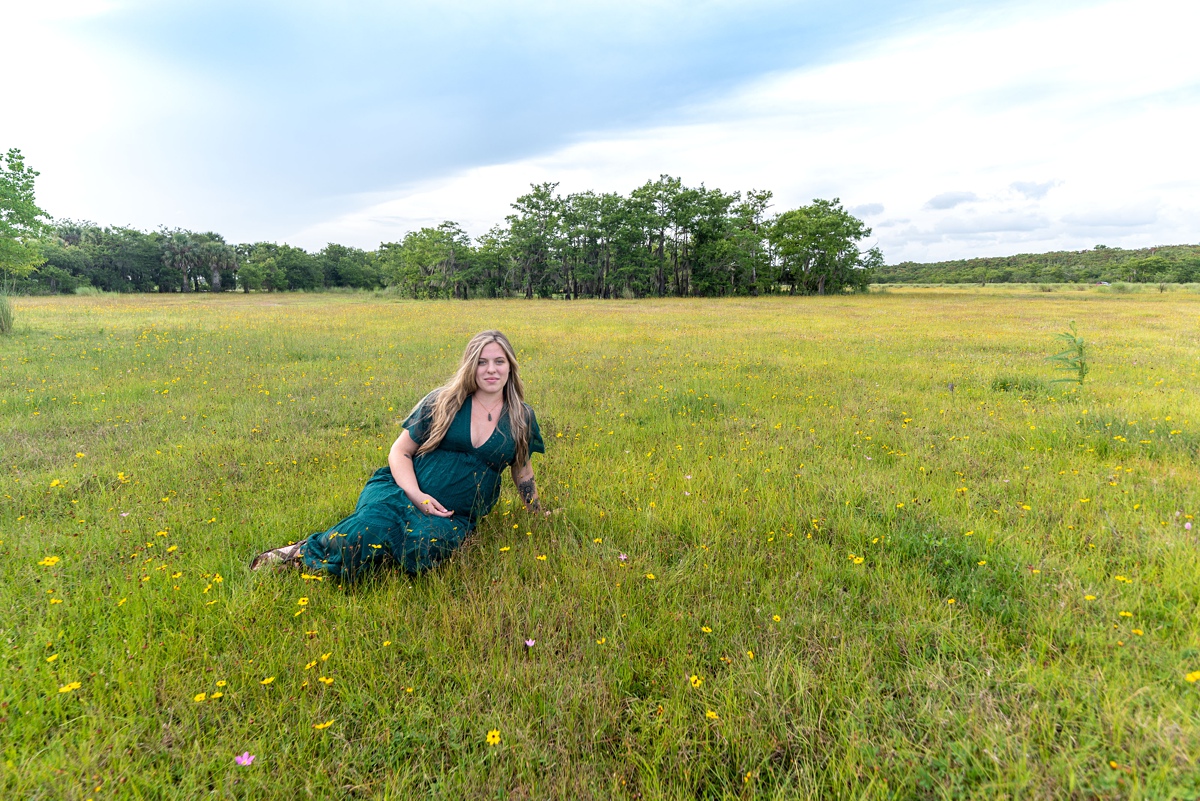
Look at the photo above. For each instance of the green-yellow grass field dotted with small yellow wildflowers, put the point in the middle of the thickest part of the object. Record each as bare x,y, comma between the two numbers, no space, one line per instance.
843,576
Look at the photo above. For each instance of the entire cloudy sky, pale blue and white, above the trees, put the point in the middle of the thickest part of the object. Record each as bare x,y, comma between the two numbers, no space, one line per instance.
953,129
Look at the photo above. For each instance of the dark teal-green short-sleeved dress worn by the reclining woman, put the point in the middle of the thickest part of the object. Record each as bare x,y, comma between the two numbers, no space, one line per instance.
388,527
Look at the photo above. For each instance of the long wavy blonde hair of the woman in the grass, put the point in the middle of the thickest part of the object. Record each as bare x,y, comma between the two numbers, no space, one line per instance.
449,399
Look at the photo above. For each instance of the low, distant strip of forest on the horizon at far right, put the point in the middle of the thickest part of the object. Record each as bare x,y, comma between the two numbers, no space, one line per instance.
1169,264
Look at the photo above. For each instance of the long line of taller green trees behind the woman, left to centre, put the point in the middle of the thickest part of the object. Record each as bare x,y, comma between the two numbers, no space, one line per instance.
663,239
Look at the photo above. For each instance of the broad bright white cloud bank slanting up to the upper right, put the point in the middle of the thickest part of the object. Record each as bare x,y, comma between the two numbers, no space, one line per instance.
1100,104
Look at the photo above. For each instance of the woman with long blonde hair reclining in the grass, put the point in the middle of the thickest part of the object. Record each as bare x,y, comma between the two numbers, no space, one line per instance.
443,473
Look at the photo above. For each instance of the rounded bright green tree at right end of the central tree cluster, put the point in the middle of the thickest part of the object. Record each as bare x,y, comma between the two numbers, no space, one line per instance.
818,249
